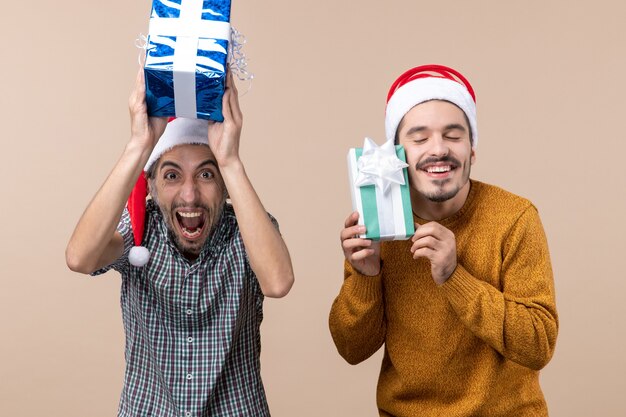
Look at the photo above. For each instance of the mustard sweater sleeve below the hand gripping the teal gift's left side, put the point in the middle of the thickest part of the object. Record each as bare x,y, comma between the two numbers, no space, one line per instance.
357,318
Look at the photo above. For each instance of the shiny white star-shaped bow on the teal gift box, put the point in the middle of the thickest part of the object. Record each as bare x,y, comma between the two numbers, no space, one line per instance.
379,166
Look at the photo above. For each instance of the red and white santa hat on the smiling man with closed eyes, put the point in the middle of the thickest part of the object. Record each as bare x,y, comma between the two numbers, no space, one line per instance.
429,82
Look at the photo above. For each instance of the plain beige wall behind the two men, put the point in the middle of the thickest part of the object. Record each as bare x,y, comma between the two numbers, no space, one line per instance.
549,76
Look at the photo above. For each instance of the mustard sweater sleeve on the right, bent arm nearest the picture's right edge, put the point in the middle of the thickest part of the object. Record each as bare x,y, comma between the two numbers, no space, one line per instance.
520,322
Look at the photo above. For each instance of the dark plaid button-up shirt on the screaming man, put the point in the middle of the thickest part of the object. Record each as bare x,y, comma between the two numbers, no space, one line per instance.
192,330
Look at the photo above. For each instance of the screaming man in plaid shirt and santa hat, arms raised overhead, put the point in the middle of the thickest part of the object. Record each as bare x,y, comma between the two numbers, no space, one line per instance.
192,299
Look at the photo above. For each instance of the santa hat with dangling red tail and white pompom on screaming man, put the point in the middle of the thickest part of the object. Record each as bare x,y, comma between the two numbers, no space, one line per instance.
179,131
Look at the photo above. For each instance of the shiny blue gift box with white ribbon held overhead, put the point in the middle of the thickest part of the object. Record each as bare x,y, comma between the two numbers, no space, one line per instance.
186,58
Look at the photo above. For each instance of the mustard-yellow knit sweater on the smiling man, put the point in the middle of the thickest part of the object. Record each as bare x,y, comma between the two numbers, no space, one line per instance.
472,346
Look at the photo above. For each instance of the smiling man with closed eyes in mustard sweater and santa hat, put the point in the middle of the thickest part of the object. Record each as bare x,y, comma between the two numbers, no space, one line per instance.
465,308
